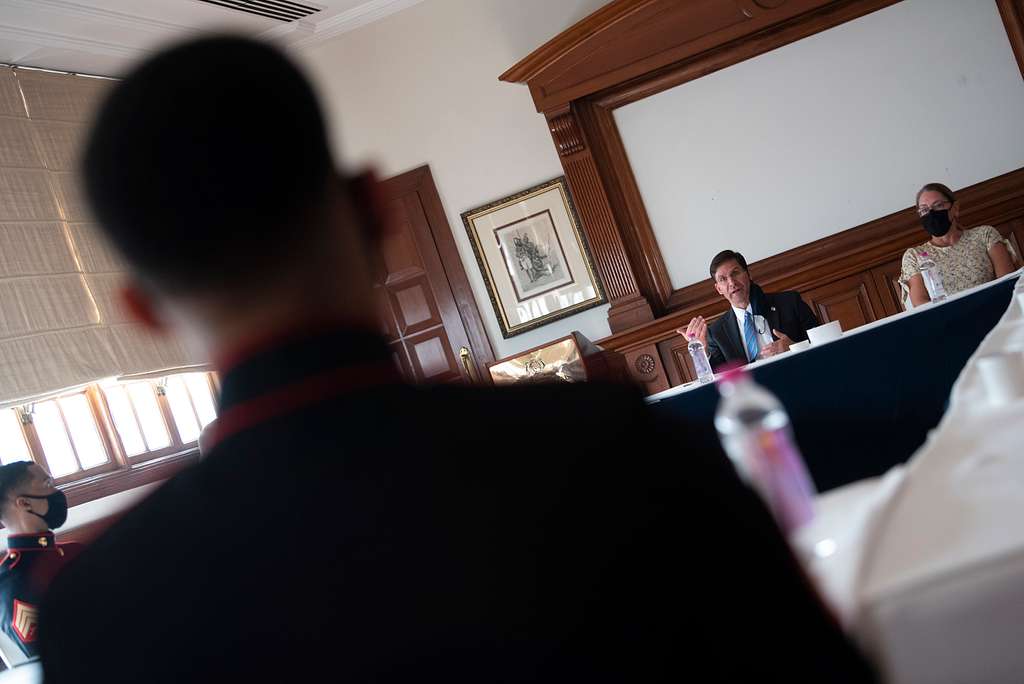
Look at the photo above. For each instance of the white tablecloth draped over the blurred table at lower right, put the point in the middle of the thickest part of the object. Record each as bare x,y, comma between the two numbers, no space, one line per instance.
926,566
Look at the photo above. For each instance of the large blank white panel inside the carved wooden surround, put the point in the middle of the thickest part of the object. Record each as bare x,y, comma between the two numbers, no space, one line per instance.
827,134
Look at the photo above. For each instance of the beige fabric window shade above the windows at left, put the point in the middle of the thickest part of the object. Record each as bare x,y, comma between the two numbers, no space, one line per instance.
61,323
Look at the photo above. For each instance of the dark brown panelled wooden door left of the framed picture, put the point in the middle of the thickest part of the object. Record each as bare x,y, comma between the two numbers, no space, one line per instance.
430,315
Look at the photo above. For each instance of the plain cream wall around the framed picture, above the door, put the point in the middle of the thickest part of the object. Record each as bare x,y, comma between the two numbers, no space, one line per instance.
422,87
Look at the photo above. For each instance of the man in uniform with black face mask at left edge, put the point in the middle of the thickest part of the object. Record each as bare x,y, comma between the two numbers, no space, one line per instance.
30,508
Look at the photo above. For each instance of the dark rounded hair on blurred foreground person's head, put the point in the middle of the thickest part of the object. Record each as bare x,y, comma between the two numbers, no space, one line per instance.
208,165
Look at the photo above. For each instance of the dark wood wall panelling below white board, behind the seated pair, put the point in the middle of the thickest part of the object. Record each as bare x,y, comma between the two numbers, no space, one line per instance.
851,252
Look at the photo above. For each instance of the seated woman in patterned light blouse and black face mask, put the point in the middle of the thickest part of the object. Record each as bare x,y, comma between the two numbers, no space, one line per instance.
965,258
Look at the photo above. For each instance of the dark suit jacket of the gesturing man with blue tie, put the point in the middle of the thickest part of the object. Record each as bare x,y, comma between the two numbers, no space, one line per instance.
785,312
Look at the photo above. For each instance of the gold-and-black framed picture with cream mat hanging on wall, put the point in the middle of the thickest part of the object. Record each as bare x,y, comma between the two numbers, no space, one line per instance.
534,259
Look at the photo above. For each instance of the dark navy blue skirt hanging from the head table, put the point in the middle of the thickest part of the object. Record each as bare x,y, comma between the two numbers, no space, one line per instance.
864,404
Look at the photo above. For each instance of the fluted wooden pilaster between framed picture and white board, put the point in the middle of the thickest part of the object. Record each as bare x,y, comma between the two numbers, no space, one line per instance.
629,307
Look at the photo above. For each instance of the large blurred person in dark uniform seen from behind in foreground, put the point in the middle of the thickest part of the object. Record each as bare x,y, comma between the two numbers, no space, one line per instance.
347,527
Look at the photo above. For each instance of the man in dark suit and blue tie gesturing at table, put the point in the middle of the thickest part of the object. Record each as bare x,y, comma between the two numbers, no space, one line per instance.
757,325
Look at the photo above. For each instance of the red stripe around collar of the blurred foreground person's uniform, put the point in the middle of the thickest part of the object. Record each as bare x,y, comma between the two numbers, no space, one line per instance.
311,391
